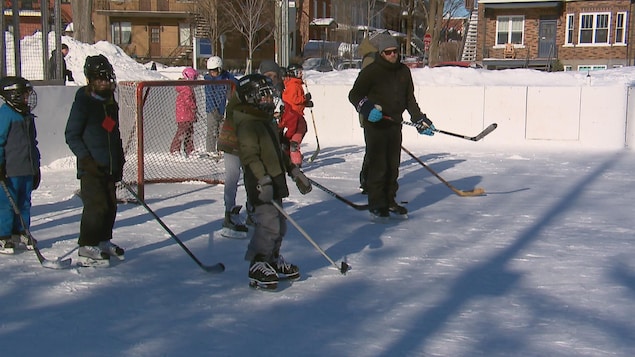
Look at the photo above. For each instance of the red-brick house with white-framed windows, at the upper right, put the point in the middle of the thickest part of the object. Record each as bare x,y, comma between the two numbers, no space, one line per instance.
580,34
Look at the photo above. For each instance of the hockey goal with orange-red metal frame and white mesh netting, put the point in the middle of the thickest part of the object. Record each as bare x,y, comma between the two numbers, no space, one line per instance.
147,121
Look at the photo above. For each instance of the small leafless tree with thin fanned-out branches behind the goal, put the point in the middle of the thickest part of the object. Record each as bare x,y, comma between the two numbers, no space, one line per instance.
254,20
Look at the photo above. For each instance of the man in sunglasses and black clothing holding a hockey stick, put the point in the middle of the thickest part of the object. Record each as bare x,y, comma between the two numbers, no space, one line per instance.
381,93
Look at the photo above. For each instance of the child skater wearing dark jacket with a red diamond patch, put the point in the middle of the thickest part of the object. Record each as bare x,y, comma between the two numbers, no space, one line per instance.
92,134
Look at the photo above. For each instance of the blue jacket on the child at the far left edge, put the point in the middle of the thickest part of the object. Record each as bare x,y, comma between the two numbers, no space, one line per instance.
18,143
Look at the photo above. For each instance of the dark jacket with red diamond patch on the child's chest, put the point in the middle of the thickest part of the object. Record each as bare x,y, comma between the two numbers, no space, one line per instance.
93,130
